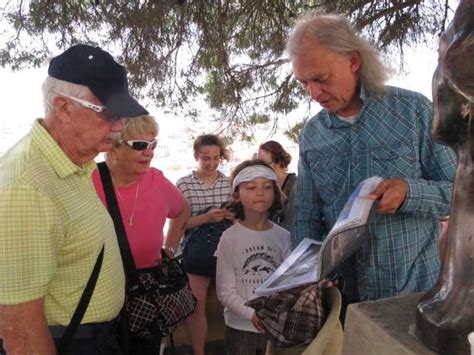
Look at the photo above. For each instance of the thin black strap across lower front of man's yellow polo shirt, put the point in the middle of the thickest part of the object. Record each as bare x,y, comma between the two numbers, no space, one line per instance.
81,306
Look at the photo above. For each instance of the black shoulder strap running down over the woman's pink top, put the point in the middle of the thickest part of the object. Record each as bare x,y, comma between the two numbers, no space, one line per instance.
114,210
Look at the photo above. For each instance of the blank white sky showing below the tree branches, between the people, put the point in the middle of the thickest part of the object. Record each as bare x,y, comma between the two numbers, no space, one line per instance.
21,99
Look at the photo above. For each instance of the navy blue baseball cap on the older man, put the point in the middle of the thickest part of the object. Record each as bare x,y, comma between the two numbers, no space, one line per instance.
95,68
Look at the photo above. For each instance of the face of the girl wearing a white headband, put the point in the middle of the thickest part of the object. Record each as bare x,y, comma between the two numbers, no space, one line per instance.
256,196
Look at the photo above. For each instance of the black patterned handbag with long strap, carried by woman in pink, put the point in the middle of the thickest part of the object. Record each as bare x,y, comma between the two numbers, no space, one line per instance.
158,298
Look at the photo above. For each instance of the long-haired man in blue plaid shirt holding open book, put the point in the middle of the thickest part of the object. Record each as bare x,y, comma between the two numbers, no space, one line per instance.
364,129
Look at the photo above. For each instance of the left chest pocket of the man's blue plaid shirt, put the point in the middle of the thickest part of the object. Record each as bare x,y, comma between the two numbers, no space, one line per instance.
329,173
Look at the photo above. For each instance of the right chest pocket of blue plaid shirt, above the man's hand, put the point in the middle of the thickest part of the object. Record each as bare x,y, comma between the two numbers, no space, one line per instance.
392,162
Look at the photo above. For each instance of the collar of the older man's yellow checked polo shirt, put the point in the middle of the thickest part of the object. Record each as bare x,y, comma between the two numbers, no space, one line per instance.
59,161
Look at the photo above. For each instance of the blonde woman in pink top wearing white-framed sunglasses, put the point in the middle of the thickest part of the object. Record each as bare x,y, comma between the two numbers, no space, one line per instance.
146,198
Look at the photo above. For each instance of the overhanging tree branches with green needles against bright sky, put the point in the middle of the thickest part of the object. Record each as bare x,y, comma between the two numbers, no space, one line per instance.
229,52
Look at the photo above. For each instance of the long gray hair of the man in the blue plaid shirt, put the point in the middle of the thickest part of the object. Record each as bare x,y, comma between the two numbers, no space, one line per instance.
339,36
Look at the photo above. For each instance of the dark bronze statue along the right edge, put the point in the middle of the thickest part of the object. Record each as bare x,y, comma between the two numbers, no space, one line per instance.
445,314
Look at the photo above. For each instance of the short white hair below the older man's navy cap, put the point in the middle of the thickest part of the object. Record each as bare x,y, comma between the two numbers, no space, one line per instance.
53,87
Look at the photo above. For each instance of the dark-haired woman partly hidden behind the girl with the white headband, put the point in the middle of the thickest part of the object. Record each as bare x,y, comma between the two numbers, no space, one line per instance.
278,158
